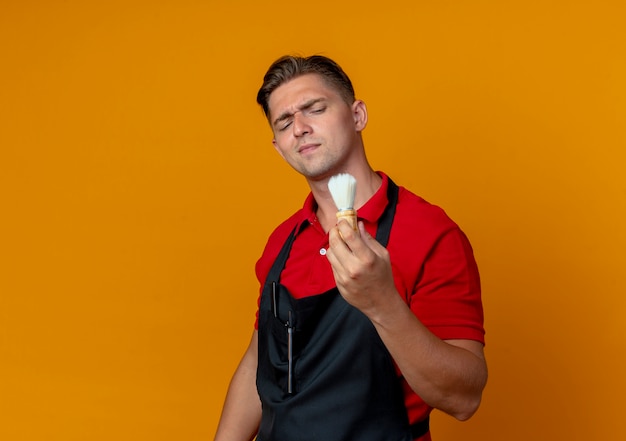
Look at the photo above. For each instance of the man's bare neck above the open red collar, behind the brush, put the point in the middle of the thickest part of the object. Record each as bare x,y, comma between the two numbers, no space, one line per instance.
368,182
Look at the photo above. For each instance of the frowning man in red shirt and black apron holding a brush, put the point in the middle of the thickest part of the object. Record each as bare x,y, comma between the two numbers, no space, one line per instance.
361,333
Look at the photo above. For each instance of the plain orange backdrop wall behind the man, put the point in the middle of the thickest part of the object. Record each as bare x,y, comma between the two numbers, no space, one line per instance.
138,185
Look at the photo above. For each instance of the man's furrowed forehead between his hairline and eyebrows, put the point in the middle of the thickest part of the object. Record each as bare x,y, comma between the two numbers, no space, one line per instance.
294,92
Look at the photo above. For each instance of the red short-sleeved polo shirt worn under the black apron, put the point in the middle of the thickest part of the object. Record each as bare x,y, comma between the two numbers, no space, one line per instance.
432,260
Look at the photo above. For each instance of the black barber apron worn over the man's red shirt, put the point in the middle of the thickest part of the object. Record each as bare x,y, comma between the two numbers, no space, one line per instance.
323,372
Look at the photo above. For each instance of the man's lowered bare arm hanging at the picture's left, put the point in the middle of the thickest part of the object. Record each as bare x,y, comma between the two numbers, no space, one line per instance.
241,414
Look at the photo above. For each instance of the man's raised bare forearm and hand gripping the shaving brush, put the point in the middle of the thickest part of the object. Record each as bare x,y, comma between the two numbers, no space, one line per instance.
449,375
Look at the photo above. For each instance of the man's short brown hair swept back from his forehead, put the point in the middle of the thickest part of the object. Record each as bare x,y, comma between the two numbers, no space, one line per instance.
288,67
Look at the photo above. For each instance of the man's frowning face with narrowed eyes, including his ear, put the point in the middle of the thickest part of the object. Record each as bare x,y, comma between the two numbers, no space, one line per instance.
315,130
